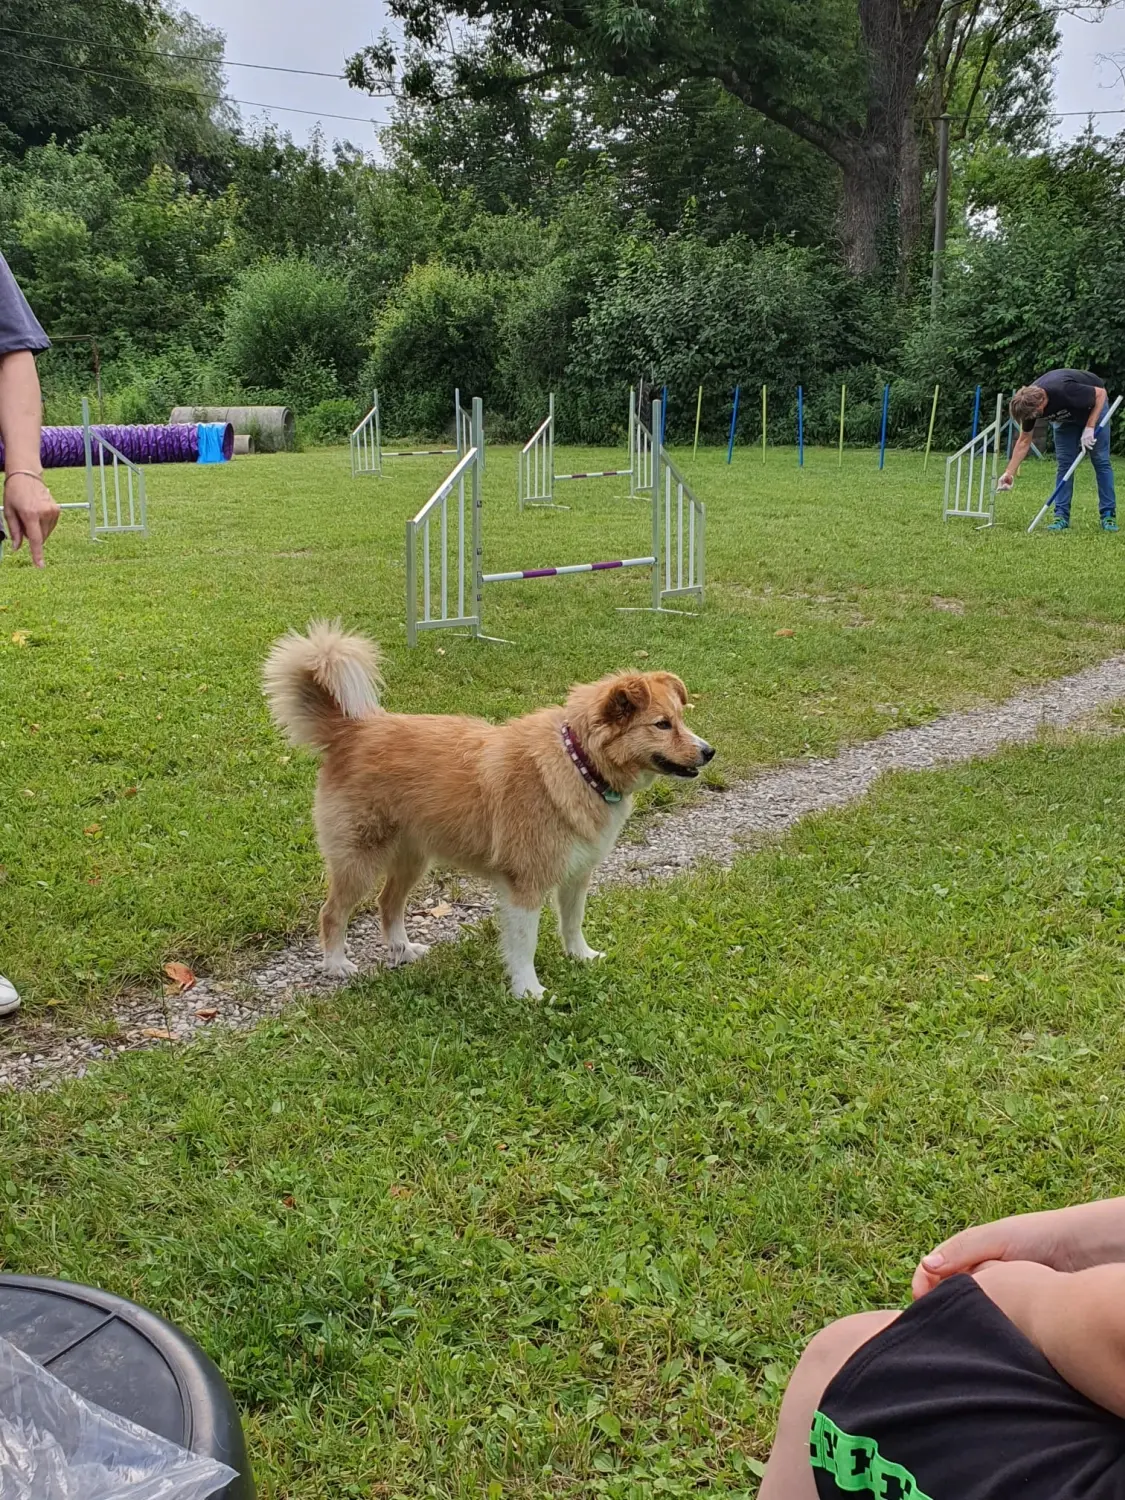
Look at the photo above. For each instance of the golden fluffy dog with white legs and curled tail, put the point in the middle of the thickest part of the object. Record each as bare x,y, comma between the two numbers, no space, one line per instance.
532,806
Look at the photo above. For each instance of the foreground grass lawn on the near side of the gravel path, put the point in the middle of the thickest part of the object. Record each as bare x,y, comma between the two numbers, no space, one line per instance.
448,1244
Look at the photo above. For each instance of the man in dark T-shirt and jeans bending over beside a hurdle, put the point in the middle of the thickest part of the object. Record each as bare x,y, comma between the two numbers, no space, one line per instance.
1073,401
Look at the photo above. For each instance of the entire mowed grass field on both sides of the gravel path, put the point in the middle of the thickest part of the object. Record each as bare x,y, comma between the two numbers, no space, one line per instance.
451,1246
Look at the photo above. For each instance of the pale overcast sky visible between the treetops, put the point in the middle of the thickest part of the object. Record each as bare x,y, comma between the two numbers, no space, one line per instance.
296,34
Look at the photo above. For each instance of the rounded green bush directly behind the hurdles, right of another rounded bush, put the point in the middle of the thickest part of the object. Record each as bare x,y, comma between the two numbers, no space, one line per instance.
437,334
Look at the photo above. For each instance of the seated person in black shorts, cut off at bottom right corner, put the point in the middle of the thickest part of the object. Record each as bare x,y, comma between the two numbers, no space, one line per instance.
1006,1376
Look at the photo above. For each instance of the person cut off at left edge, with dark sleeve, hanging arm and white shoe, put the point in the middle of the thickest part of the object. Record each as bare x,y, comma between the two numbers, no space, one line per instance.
28,511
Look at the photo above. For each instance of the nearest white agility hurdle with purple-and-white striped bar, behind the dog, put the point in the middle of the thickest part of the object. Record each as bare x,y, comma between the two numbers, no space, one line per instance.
437,601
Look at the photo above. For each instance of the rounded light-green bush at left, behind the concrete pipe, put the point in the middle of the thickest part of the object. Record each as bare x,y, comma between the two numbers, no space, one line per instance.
286,319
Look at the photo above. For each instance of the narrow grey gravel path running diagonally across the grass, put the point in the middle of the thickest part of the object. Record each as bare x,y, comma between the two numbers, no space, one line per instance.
713,829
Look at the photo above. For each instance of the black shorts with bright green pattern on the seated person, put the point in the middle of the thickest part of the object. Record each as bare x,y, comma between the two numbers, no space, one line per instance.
953,1403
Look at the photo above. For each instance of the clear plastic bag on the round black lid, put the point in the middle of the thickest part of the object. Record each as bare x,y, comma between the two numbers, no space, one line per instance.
58,1447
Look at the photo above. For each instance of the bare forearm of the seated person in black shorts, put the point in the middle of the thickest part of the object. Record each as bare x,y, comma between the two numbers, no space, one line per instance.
1064,1240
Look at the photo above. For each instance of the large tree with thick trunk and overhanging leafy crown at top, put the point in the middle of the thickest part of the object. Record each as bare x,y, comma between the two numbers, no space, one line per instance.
844,76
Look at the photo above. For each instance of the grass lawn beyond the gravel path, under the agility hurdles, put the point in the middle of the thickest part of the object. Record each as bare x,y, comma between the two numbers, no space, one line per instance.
151,812
